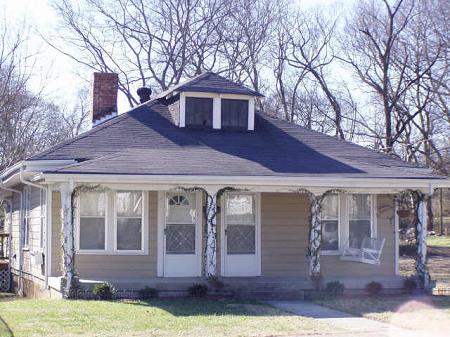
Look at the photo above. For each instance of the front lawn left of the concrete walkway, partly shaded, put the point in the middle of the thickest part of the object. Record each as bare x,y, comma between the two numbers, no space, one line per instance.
174,317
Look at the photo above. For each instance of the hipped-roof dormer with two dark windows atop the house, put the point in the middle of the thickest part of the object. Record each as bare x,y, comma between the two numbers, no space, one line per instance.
210,101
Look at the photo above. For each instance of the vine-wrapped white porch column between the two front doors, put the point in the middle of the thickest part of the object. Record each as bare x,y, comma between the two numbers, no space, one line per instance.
211,233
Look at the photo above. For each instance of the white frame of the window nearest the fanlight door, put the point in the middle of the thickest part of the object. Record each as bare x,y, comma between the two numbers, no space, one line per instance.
144,226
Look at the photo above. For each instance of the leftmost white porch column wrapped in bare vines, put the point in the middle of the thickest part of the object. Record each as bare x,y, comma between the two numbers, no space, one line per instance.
66,191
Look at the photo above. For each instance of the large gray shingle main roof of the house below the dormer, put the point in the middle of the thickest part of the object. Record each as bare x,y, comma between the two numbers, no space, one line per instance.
145,141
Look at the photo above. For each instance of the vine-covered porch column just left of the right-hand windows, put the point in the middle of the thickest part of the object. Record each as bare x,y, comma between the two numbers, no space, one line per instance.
315,236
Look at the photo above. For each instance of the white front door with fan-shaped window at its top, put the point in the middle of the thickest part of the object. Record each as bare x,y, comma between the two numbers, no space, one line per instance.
182,235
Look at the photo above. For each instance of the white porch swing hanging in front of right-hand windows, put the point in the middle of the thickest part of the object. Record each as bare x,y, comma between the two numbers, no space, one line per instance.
370,251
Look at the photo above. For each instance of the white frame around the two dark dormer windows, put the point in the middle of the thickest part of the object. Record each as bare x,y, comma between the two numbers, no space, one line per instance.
217,107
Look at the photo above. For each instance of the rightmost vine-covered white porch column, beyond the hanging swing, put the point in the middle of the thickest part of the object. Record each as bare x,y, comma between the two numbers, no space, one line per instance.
421,245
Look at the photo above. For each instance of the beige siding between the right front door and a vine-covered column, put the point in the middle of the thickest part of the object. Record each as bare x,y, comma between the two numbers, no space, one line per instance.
284,232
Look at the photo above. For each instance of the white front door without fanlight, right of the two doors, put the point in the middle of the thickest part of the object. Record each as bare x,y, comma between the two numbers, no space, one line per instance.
241,235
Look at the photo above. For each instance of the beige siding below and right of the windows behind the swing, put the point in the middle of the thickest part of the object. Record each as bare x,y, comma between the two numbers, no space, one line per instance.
333,266
